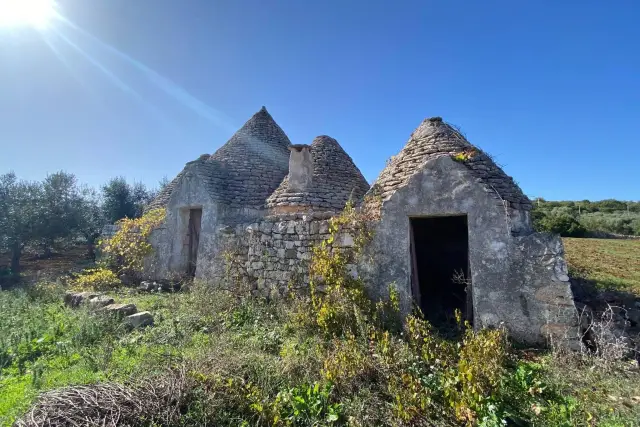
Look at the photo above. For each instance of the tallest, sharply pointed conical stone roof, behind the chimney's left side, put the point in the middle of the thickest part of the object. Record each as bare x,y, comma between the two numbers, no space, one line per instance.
245,170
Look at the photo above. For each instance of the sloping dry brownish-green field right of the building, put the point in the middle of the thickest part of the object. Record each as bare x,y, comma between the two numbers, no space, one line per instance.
611,263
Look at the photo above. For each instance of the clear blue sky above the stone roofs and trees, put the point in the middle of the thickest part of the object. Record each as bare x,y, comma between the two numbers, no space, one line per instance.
138,88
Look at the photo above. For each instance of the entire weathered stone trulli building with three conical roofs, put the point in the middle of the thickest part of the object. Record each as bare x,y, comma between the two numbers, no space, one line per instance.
453,232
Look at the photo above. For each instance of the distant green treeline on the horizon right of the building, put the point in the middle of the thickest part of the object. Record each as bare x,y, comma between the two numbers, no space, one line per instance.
584,218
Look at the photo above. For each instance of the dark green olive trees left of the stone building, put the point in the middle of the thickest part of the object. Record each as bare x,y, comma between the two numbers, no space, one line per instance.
41,216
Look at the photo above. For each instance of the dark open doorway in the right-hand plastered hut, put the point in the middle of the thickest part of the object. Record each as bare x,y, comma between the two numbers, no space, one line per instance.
440,268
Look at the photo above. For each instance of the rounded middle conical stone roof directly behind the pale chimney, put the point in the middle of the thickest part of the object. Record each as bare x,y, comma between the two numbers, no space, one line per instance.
336,179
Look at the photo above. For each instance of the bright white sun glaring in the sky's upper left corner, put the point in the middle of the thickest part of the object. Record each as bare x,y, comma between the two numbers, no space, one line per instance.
26,13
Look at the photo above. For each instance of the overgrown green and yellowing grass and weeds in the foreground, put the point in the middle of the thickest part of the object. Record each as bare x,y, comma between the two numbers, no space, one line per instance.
248,361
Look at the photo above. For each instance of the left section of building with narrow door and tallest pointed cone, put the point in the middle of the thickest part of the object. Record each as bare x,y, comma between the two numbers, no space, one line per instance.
215,191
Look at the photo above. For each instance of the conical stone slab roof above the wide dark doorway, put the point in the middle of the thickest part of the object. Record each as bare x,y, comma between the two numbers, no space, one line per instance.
435,138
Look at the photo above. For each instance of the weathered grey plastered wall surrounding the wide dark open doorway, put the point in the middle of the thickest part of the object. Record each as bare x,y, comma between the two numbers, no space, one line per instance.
505,270
